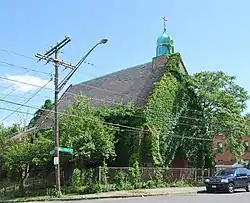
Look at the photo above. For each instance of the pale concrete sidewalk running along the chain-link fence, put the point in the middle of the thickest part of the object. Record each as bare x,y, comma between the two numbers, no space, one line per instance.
119,194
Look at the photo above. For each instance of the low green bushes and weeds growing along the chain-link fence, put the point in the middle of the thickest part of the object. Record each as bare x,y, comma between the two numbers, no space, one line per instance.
104,179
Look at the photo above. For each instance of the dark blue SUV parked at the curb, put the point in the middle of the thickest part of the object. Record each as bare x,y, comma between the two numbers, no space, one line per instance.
228,180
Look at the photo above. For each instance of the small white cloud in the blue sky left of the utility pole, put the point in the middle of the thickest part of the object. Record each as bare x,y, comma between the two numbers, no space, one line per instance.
20,86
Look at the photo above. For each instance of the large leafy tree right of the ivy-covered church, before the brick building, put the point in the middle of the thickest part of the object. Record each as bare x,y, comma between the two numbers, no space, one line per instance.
222,101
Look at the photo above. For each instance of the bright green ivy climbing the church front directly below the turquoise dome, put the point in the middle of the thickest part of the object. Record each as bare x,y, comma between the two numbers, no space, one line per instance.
164,108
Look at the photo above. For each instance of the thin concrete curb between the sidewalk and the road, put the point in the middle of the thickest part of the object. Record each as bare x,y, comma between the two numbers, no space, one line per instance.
105,197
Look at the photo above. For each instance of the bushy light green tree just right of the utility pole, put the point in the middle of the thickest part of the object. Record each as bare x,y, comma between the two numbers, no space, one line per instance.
84,131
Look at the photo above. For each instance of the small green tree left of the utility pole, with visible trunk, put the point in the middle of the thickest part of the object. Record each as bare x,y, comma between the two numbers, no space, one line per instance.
21,156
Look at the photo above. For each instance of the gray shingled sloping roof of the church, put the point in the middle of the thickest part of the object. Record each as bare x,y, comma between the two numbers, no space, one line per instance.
129,85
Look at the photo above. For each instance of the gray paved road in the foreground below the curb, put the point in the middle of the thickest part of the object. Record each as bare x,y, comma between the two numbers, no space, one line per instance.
242,197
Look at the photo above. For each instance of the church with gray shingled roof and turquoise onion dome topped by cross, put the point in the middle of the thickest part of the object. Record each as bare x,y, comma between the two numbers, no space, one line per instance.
133,84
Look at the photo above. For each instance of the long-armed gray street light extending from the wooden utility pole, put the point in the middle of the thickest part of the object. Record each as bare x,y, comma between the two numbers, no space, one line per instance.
66,79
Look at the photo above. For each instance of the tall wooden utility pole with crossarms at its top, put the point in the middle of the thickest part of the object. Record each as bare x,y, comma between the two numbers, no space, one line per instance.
47,57
